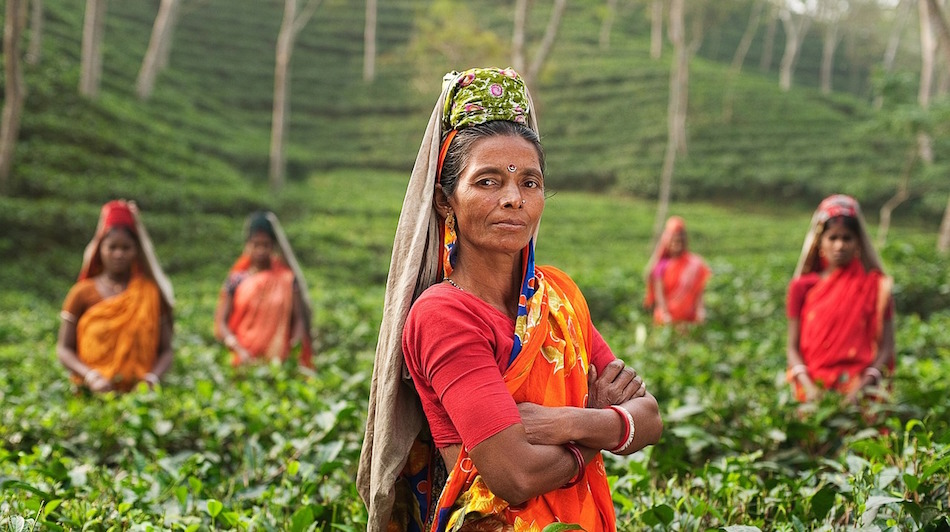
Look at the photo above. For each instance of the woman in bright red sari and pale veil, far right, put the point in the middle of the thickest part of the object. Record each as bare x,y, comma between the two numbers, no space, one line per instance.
839,308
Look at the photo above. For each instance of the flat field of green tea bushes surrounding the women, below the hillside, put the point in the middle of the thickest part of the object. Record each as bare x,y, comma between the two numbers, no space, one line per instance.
275,447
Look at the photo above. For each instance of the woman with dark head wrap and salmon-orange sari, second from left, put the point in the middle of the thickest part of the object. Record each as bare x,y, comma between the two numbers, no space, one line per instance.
263,309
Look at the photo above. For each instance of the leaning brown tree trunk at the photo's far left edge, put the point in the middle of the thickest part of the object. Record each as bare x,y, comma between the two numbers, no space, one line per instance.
14,87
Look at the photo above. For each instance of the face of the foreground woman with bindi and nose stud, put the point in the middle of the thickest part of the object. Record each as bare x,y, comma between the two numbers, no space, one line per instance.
499,197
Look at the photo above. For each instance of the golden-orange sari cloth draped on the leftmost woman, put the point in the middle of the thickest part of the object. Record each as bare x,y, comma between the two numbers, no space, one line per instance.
119,336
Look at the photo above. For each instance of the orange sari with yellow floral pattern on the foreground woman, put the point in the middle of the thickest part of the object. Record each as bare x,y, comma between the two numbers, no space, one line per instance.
551,370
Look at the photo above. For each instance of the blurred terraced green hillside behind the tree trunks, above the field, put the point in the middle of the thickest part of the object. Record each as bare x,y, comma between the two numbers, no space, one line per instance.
602,115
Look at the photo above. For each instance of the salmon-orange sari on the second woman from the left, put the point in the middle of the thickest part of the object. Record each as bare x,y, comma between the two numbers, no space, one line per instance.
261,310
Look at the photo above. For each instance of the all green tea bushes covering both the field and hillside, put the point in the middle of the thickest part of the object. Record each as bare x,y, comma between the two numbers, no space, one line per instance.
275,447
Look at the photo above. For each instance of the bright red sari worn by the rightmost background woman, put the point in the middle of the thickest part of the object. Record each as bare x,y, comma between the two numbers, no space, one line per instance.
841,322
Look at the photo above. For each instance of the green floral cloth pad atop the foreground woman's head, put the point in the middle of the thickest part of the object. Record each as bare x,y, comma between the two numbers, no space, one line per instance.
482,95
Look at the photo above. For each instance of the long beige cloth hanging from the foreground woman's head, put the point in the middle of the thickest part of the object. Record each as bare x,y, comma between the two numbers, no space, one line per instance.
395,415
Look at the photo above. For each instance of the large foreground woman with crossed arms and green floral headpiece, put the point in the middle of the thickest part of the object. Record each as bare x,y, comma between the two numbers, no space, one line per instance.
513,392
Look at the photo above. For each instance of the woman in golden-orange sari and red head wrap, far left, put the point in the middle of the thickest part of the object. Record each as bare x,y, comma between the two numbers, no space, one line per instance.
116,328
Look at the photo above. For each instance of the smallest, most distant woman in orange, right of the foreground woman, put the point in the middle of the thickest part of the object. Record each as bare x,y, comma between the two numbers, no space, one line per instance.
675,278
